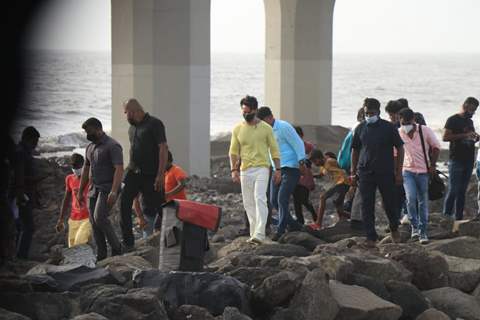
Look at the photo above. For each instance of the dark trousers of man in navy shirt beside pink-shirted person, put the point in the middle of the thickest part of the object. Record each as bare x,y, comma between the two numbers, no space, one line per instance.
369,182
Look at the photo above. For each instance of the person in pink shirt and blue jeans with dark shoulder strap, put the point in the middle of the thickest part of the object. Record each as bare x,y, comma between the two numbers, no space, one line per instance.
417,167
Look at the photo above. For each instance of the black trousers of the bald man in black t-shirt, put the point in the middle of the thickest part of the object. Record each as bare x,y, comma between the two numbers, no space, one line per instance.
136,183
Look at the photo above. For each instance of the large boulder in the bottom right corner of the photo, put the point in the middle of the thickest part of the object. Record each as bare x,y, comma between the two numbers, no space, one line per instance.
454,303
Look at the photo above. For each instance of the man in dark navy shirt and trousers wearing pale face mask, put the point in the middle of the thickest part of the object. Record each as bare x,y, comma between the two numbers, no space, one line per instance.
373,167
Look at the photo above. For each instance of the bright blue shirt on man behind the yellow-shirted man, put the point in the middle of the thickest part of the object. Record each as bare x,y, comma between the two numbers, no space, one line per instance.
292,148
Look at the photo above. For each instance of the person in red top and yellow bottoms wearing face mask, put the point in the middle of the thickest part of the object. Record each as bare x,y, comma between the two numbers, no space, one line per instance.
79,227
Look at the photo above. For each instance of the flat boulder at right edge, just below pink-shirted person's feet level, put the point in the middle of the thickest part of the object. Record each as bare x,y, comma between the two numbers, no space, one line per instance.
462,247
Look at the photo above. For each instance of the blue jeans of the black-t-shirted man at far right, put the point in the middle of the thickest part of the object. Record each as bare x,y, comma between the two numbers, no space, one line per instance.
459,173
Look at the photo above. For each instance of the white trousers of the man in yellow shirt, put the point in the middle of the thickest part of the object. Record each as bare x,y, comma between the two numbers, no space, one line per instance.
254,183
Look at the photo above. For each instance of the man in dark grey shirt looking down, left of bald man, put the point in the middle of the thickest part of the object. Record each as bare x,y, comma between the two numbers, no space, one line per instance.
104,169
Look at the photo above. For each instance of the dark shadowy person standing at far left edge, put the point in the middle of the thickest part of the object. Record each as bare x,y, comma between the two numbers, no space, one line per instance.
25,188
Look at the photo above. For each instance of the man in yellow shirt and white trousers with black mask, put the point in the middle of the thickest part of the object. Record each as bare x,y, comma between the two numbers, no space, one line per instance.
251,145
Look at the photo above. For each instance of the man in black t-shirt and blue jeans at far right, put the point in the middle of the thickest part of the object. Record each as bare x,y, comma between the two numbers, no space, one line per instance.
460,132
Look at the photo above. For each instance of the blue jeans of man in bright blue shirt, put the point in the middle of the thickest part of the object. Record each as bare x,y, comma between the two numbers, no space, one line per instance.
280,197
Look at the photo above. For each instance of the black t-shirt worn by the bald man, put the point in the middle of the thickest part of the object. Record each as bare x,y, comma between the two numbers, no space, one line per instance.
144,140
